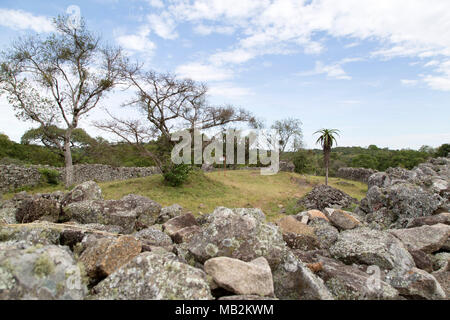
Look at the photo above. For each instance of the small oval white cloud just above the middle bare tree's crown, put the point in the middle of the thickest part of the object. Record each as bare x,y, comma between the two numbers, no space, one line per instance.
203,72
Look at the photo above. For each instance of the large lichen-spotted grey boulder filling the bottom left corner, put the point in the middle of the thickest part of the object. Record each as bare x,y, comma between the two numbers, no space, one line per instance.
37,272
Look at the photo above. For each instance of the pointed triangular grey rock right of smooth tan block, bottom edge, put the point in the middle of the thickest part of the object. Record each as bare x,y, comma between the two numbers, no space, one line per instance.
293,280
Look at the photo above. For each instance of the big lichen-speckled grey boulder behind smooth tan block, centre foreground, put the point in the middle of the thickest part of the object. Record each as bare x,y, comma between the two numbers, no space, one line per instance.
237,233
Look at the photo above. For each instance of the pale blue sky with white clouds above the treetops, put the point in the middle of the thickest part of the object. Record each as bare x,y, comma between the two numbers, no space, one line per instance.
379,71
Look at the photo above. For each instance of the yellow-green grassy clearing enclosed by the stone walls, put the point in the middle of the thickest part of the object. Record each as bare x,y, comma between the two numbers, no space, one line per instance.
204,192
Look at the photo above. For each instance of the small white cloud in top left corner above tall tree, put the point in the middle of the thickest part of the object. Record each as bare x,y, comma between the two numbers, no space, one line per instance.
21,20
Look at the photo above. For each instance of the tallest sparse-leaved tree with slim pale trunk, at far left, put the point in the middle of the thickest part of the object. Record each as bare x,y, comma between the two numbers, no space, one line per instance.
59,79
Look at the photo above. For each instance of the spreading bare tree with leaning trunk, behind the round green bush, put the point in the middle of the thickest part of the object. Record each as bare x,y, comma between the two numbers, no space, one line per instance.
169,104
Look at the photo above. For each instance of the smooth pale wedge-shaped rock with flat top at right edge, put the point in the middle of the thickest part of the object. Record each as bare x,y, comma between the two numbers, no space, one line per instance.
428,239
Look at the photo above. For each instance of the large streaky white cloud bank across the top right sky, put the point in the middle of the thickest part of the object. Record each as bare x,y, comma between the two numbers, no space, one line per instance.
413,28
